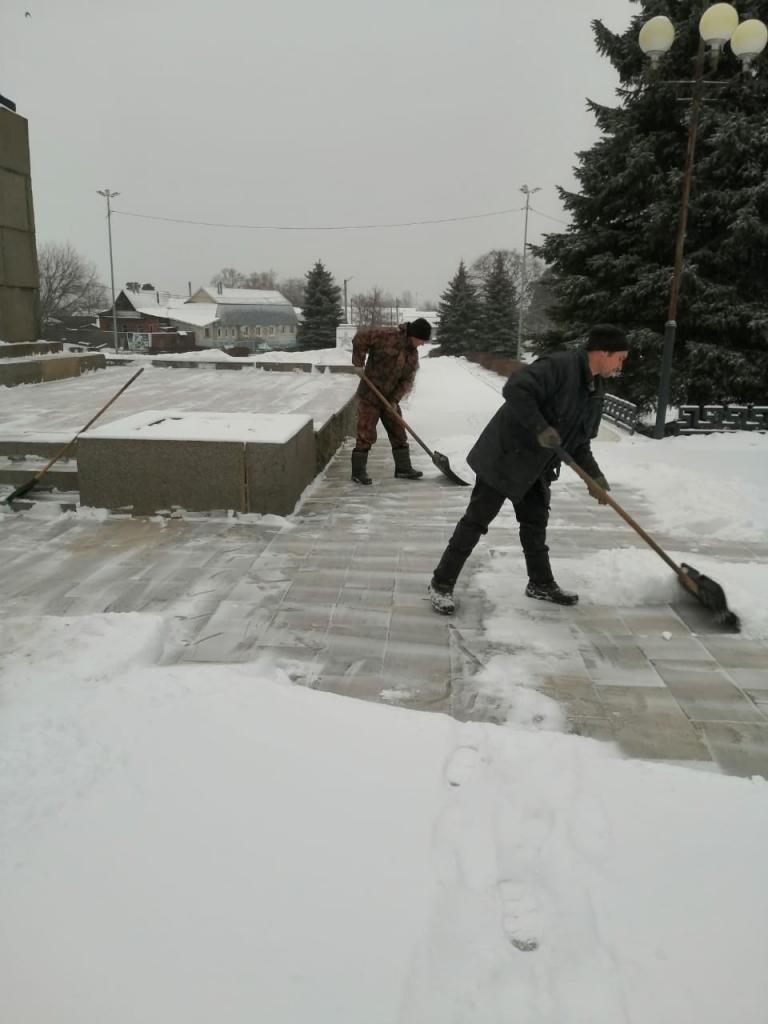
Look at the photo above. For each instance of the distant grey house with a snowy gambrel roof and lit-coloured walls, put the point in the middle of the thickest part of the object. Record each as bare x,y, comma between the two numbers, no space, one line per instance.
246,318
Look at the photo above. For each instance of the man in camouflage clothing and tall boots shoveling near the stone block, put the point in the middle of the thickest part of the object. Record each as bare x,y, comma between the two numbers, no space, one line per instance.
392,359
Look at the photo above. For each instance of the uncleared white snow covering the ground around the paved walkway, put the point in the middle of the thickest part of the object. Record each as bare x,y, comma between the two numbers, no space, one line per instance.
217,843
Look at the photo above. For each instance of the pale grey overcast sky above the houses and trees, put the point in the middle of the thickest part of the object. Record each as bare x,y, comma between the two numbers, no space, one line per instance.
304,114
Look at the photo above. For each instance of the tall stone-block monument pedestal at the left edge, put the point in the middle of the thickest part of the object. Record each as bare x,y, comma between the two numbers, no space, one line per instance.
20,285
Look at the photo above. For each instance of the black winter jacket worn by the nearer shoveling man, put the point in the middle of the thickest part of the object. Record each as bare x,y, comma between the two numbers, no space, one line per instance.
559,392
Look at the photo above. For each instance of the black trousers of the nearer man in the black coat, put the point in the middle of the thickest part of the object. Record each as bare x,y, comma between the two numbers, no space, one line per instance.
485,506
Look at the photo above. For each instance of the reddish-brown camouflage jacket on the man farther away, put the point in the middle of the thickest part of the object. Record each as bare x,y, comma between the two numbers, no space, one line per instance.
391,362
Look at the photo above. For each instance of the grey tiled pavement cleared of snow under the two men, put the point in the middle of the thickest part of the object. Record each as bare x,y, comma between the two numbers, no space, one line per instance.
339,596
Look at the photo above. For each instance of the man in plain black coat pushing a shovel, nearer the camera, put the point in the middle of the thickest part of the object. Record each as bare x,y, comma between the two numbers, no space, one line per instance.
557,402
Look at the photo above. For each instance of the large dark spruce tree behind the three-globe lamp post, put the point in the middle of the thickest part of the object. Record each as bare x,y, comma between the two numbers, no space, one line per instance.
615,262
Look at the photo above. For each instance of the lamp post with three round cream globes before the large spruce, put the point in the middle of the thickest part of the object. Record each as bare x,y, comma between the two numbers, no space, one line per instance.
717,26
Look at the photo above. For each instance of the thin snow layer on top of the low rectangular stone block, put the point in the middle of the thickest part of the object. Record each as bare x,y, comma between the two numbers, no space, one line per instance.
174,425
